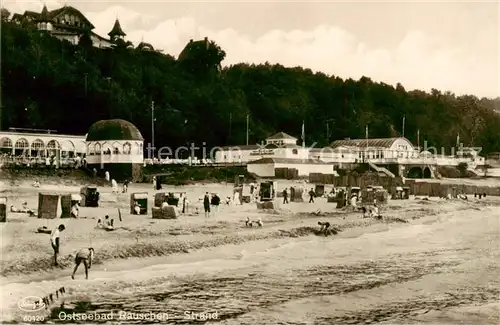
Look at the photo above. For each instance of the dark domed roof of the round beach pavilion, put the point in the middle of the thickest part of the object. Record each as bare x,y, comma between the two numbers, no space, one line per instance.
113,130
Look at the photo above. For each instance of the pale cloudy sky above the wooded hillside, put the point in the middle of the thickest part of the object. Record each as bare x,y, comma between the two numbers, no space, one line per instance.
447,45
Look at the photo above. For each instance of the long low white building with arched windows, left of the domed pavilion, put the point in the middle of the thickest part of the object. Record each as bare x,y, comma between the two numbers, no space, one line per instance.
42,144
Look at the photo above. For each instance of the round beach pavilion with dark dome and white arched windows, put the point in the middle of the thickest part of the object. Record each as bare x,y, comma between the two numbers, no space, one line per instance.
116,146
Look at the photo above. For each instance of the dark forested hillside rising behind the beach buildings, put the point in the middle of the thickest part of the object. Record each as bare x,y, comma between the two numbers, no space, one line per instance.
51,84
